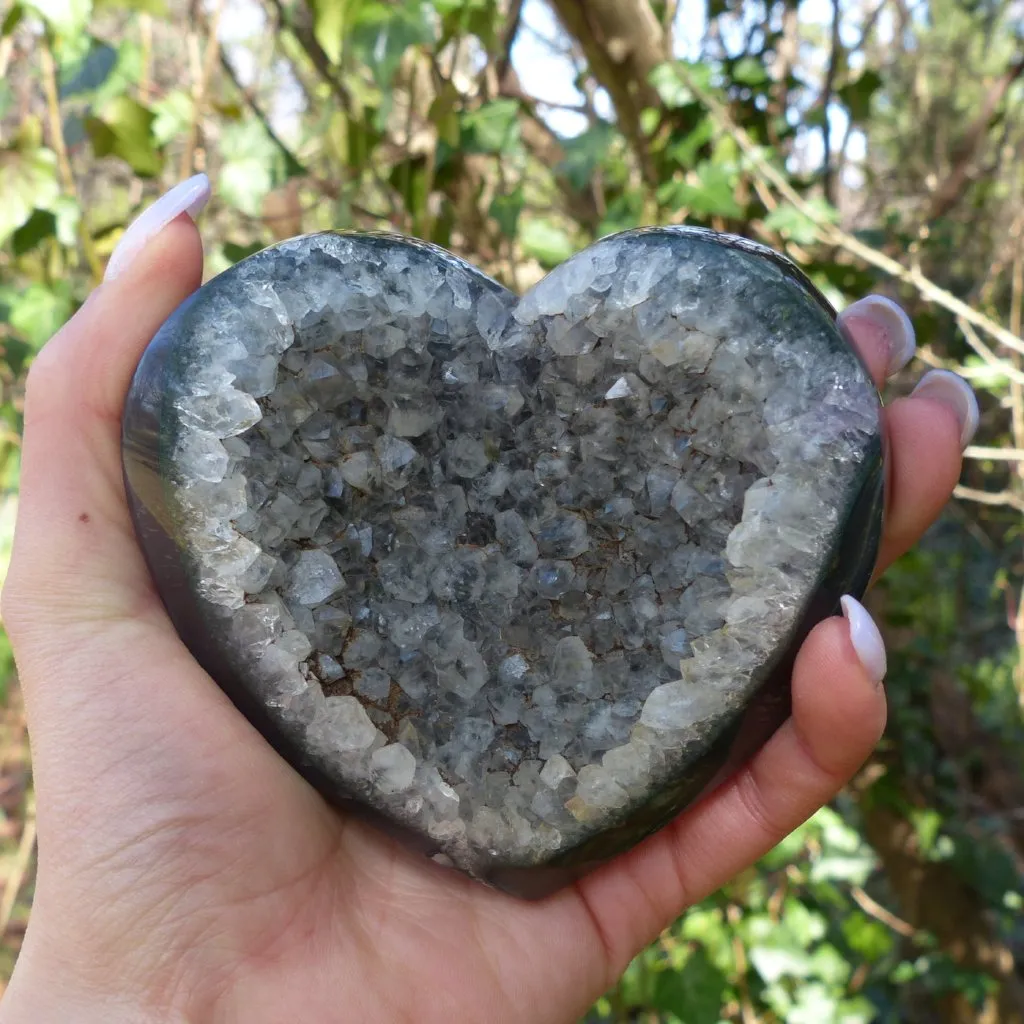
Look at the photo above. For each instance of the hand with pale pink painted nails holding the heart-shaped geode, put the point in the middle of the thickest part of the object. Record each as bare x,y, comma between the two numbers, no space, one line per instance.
188,874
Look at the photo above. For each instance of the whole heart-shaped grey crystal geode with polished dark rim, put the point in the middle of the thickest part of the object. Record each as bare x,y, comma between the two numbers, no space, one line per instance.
521,577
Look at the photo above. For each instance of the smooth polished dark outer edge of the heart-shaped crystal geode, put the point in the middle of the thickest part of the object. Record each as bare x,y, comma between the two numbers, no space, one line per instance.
849,571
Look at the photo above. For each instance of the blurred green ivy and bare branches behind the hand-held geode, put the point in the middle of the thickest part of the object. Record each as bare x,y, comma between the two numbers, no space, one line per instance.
879,143
